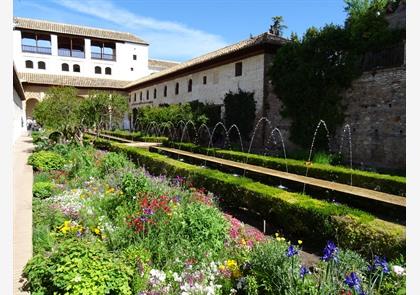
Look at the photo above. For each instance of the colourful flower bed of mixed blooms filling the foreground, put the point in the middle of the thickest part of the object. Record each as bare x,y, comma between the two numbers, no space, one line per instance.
112,228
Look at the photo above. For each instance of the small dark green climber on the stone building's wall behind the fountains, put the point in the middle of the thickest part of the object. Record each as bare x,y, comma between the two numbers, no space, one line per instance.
240,110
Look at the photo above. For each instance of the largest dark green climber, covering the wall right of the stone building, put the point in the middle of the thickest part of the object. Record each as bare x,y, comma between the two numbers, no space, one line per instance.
318,67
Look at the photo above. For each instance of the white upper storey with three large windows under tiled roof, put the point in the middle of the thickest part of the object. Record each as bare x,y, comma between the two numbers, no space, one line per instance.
61,49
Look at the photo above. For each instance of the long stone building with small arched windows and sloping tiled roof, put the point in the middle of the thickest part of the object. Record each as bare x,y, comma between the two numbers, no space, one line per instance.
209,77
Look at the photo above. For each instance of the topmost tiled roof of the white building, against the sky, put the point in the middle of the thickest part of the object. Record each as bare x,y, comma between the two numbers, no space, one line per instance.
42,25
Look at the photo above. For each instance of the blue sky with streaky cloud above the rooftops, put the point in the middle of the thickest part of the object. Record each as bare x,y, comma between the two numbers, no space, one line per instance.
181,30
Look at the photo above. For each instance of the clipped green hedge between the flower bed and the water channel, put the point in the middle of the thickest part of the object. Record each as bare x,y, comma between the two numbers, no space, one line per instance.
298,214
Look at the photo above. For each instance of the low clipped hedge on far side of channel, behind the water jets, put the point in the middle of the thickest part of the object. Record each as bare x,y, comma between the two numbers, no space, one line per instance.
370,180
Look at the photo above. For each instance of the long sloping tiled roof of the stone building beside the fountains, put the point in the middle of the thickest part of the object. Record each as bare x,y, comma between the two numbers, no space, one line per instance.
263,38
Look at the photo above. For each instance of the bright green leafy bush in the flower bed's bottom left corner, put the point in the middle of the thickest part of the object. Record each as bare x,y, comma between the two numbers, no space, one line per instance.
78,267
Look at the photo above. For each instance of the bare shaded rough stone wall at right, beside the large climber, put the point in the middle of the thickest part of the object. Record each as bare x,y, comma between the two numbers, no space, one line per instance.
376,113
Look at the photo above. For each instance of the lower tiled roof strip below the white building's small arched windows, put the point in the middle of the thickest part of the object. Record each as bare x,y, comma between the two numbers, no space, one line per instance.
63,80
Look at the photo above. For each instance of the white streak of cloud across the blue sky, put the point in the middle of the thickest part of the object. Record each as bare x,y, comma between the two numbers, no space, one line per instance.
168,40
